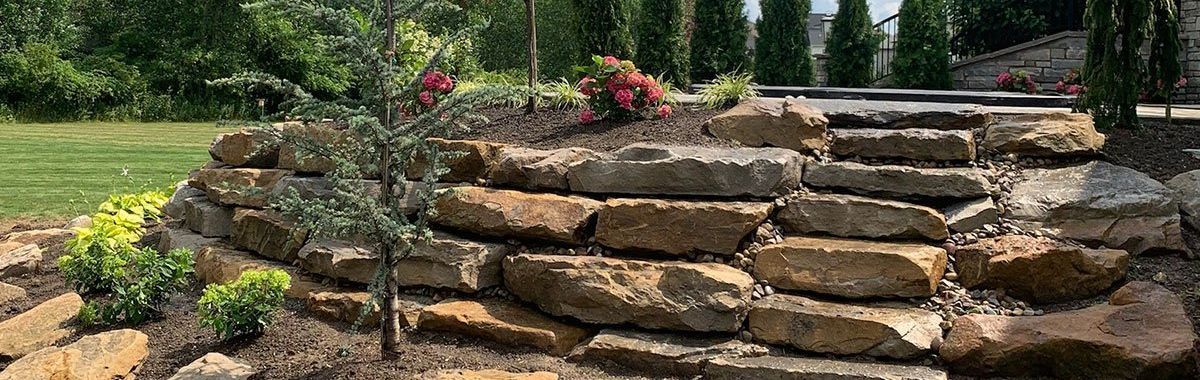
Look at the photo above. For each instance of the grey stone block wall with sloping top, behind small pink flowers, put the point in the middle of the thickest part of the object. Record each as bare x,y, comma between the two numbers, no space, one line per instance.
1048,59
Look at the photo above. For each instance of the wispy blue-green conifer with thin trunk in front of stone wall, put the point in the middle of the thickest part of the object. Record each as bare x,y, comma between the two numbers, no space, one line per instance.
383,135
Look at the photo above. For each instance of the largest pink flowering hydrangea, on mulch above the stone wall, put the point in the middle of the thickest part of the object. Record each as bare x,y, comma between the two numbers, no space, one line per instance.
617,89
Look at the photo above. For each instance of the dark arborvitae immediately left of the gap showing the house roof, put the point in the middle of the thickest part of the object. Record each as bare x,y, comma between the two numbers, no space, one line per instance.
782,53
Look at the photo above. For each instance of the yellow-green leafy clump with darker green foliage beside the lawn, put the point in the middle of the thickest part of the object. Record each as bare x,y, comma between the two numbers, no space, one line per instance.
130,285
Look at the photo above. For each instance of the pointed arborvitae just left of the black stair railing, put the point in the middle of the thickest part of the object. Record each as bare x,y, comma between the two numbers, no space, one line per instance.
853,46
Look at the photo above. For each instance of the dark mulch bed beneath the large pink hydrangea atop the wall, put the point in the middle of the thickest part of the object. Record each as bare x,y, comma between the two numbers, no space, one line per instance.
561,129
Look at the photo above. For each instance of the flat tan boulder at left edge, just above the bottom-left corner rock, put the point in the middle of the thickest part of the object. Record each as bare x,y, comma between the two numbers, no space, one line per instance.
40,327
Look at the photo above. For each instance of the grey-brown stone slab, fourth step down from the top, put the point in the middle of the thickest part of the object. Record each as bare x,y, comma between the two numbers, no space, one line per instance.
853,216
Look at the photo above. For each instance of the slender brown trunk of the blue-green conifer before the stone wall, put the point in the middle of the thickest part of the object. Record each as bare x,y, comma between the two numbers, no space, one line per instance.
389,336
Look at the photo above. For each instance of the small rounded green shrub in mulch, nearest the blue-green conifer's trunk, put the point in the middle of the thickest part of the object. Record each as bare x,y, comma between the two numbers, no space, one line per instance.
245,306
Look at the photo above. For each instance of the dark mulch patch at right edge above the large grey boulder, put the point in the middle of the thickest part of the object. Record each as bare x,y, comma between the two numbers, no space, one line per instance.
1157,149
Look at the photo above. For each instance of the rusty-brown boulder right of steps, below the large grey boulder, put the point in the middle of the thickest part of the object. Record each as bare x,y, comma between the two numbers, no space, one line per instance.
1040,270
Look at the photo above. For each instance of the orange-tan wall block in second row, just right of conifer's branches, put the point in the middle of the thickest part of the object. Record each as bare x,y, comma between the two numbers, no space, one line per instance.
513,214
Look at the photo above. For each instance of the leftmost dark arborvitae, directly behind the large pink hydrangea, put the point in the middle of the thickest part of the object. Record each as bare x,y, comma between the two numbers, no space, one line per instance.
604,28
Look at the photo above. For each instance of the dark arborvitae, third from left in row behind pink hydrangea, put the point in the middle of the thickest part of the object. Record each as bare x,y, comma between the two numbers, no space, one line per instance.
721,34
